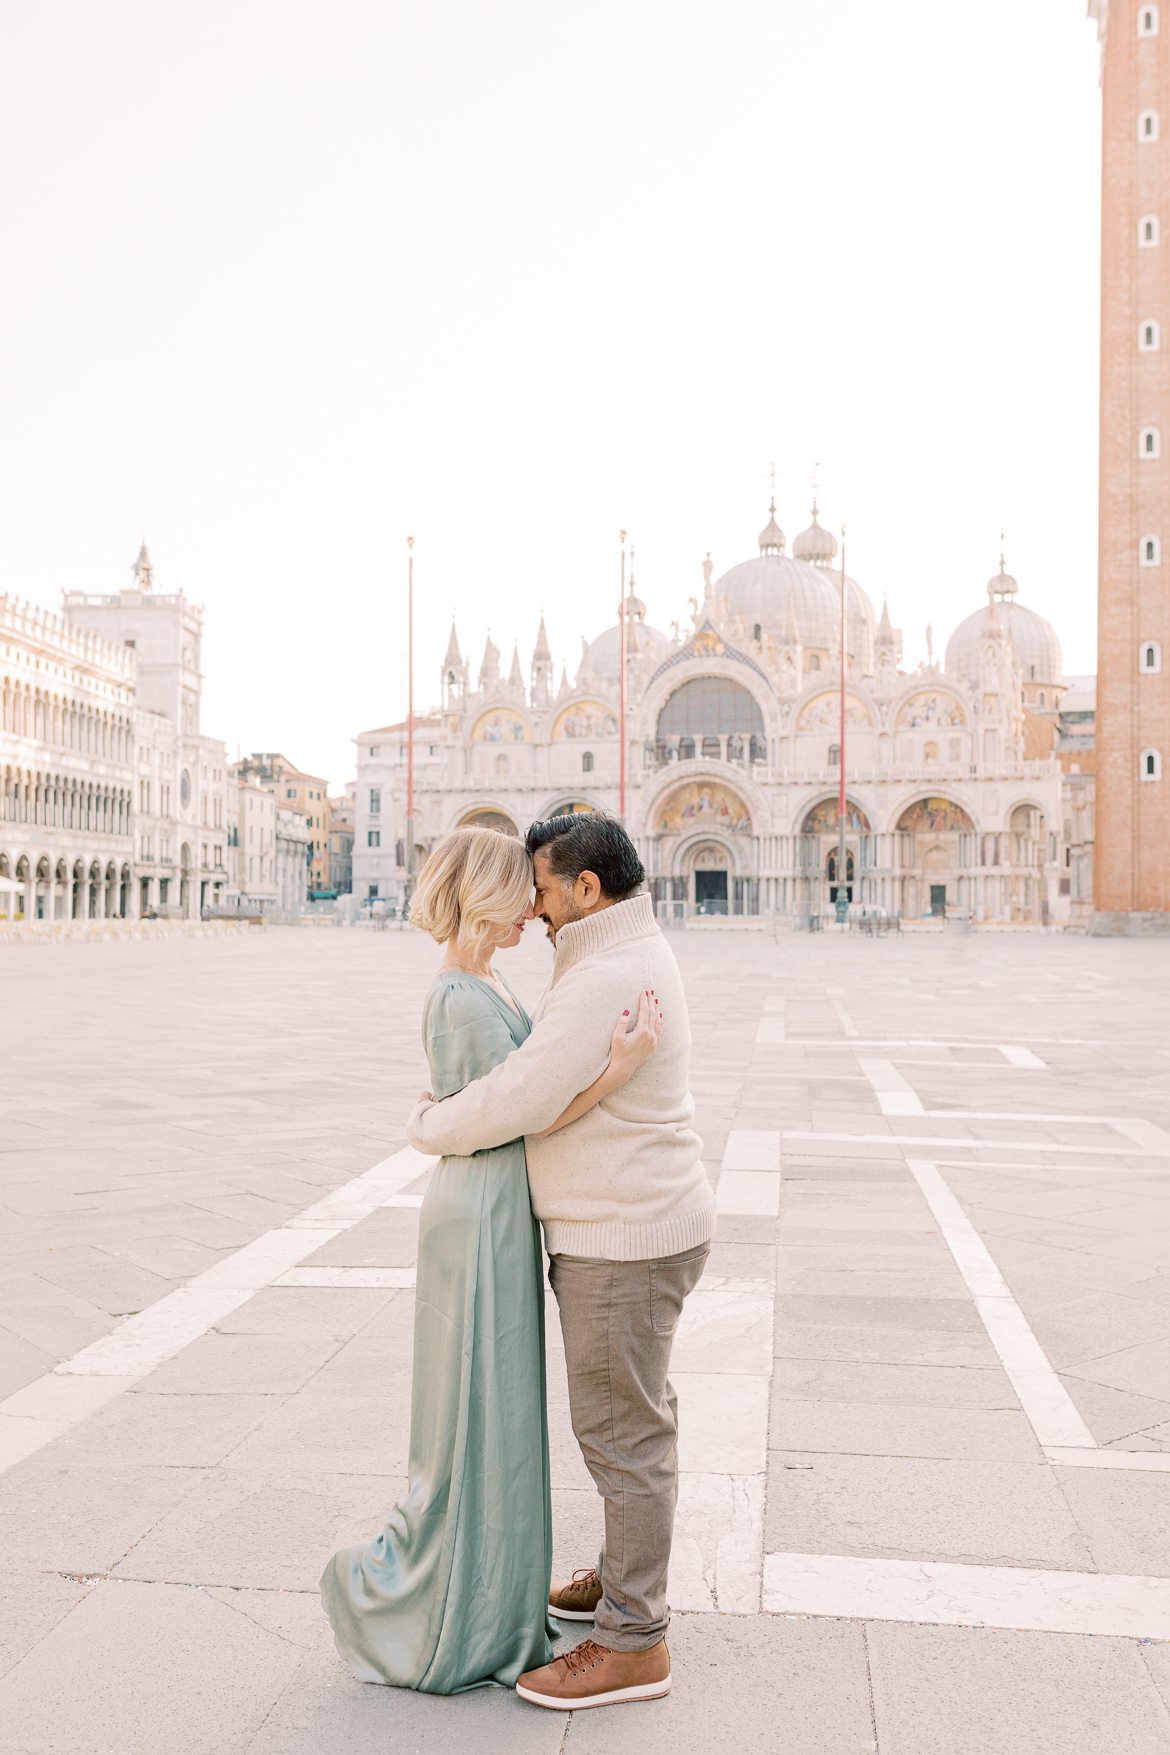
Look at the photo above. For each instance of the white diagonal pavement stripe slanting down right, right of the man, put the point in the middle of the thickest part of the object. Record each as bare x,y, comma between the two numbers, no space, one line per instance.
1043,1396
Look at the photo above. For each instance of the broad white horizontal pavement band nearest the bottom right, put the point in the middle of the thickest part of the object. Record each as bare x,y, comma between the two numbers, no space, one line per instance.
967,1596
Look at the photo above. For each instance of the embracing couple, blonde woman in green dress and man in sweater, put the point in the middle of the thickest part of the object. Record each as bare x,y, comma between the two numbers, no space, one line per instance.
580,1119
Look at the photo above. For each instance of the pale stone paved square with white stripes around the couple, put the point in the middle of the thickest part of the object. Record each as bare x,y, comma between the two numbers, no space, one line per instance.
925,1384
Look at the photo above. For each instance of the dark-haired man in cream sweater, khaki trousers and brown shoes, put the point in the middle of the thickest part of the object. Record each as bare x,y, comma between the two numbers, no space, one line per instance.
627,1215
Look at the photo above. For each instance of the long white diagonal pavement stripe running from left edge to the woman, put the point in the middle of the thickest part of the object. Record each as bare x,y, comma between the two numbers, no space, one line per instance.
80,1386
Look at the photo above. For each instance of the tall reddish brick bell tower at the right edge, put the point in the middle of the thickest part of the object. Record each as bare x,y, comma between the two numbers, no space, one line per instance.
1134,568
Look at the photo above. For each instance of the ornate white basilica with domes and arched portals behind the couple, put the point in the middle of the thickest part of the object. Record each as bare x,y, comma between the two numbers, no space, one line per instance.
953,771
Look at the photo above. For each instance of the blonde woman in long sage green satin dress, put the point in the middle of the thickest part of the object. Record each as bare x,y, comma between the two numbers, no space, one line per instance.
455,1591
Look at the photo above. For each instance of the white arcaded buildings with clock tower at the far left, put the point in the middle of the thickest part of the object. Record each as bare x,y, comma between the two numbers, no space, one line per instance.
101,740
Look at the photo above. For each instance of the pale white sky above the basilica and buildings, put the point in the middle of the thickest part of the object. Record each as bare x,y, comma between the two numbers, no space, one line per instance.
287,283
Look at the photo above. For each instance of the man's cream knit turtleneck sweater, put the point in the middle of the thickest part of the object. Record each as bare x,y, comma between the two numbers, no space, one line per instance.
625,1182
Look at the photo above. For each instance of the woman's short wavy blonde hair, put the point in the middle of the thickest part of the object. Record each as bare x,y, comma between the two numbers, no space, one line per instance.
474,882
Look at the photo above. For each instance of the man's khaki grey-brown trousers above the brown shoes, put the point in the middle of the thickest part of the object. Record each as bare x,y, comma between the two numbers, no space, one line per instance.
618,1321
